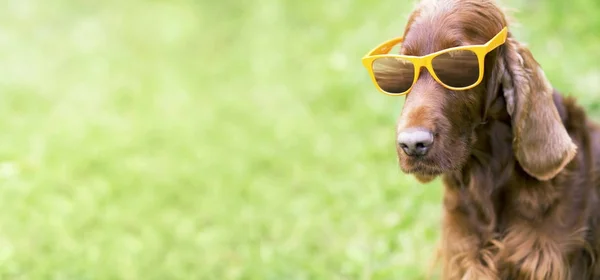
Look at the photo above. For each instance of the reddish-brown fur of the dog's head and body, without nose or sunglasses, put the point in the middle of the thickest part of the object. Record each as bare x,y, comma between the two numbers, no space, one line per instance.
520,163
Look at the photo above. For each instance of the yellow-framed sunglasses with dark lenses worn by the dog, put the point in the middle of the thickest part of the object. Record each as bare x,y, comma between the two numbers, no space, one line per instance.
458,68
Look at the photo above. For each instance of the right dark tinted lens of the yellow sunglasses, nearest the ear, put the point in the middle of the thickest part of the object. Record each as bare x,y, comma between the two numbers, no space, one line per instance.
457,68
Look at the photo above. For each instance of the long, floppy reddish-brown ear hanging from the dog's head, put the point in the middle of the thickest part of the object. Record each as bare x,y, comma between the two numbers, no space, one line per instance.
541,142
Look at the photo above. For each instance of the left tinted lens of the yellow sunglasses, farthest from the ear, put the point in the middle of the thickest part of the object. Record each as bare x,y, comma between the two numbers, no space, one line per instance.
394,75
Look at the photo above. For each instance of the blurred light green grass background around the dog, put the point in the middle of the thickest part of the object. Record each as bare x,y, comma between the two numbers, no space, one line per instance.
224,139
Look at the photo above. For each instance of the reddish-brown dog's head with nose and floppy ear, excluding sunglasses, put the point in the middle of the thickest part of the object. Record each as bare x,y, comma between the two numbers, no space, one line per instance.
439,123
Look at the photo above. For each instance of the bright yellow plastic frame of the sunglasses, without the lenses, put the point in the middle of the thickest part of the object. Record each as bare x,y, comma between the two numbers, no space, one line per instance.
419,62
